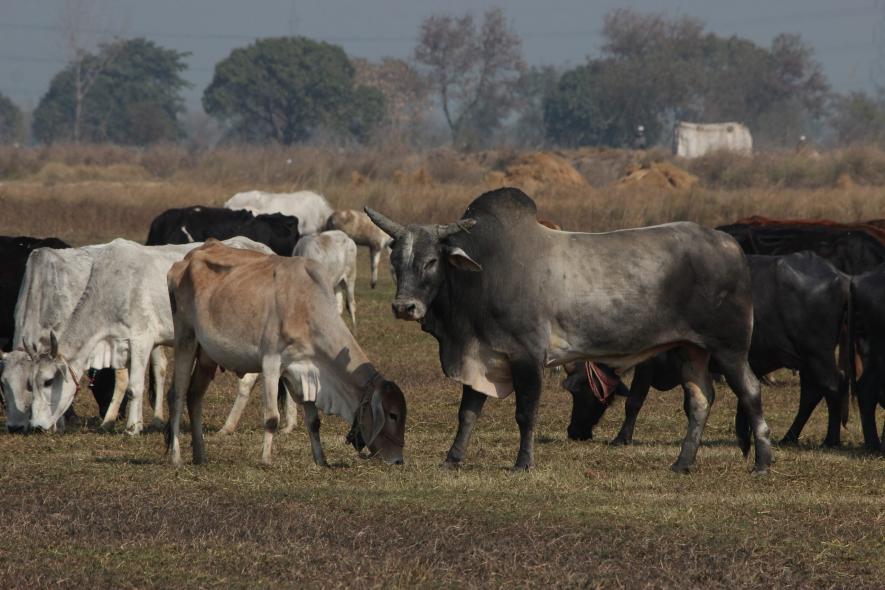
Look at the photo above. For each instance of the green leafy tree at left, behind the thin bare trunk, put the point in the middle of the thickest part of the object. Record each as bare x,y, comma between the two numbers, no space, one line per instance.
135,97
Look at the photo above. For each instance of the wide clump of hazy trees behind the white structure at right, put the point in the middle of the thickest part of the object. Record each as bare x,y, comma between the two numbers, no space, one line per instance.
658,71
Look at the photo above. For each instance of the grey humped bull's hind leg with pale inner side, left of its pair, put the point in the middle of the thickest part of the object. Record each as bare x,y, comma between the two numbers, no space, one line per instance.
699,396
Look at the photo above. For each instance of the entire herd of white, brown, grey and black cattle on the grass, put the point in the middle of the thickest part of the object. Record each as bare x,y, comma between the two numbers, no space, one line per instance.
259,286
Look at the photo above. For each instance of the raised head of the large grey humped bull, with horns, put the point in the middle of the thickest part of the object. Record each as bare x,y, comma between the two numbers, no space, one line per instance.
419,259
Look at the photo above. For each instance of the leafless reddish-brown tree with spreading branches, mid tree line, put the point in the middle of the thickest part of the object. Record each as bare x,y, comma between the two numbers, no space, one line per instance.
474,71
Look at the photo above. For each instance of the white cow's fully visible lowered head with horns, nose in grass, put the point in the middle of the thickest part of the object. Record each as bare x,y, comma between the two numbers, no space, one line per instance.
53,385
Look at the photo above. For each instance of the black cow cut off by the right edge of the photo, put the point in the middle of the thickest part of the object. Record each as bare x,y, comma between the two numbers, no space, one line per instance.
868,294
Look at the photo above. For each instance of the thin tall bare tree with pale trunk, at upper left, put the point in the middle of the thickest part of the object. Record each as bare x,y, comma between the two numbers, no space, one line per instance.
87,24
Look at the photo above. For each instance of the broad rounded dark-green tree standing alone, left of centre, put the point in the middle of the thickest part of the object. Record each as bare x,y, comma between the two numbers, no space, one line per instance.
288,88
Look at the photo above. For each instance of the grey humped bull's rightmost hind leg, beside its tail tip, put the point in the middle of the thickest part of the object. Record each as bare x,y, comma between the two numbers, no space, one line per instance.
745,385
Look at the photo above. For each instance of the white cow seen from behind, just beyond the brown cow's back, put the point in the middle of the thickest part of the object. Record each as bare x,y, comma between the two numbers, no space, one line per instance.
337,253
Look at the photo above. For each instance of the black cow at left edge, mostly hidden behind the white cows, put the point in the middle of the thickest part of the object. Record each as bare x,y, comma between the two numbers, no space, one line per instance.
14,251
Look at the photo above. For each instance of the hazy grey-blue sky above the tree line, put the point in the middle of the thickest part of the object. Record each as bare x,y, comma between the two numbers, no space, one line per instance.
848,35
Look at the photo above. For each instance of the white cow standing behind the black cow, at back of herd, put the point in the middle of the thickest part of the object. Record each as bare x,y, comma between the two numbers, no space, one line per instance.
311,209
